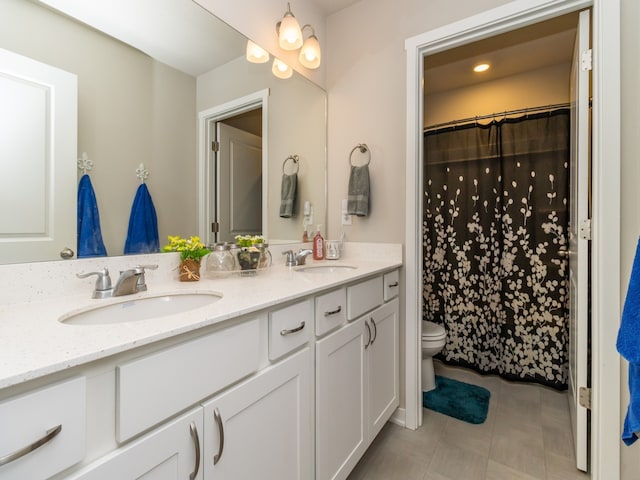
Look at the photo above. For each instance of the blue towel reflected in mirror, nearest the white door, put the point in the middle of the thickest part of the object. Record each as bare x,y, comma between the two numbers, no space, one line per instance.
90,242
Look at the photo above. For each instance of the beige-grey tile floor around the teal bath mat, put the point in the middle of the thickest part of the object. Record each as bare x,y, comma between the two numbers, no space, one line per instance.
527,436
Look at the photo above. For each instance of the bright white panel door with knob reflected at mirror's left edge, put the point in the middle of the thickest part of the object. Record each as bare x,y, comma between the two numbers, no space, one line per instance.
38,145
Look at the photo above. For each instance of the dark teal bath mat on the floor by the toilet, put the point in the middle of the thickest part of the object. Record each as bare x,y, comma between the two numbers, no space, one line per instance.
460,400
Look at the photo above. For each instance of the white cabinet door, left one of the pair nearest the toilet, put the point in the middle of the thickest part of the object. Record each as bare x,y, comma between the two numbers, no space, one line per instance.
340,418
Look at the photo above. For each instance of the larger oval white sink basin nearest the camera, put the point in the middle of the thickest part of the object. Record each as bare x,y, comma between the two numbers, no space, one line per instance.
143,308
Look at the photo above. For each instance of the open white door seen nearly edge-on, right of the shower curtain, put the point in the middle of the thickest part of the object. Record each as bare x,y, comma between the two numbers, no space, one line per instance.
578,243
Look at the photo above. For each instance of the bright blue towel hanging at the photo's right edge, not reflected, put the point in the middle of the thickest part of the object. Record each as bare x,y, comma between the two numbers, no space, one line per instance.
628,345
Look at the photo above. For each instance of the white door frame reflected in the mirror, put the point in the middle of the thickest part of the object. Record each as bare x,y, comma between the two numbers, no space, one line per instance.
215,114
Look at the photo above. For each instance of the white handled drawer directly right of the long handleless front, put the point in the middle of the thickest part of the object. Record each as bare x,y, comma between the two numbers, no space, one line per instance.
289,328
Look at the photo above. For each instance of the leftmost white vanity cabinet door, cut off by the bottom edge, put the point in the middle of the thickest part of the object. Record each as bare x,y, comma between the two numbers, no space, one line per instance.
172,452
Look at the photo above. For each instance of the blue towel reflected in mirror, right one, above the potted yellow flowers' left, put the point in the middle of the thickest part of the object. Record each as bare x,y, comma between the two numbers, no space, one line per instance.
142,236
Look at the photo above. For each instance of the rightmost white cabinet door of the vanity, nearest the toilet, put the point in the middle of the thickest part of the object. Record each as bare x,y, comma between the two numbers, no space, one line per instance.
382,368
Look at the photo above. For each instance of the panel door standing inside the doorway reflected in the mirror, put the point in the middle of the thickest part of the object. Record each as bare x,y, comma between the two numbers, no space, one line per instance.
238,184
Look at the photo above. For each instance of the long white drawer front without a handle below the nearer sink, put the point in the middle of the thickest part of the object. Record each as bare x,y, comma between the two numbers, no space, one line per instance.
159,385
